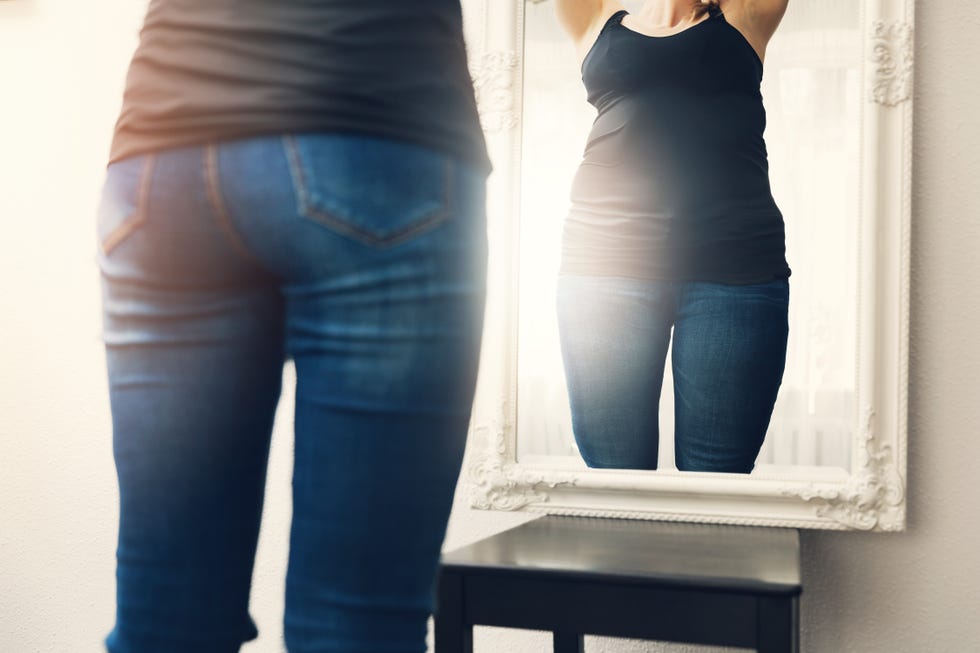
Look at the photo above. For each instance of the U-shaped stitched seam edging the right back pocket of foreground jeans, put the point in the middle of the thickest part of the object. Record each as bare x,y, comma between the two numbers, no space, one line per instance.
306,207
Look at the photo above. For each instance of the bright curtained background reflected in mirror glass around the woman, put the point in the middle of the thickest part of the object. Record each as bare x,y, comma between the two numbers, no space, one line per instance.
811,90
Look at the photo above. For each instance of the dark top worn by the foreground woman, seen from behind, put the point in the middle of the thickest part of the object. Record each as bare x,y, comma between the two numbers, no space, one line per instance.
222,69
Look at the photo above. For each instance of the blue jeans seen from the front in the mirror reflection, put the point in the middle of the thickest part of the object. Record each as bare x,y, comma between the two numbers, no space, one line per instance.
729,352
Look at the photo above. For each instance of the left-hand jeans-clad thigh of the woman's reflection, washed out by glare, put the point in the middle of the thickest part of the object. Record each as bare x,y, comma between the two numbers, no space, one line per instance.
614,335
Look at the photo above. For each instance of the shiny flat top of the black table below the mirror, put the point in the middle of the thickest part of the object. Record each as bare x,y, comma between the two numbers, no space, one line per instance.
710,556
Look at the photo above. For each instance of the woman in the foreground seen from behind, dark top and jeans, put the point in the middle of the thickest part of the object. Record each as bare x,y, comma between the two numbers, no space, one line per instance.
296,180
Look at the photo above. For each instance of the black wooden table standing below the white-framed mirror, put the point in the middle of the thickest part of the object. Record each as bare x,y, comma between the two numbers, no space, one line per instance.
702,584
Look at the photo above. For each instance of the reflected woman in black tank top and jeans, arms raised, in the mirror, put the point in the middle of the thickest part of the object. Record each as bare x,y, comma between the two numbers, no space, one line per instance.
673,228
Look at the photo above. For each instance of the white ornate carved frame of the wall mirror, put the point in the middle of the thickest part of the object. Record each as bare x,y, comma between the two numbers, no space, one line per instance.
869,496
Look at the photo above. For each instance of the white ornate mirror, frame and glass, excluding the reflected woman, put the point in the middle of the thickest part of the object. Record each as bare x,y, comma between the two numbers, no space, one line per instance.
836,89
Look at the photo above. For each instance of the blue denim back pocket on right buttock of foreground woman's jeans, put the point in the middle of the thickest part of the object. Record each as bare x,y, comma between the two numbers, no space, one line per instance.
376,191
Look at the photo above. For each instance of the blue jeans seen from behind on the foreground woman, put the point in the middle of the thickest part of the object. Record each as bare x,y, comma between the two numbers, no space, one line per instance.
363,260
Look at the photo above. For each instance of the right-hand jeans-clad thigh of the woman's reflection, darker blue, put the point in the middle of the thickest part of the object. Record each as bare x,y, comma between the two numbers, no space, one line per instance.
729,353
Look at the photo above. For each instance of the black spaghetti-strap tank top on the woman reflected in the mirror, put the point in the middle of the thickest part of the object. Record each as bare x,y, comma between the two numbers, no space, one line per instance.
674,181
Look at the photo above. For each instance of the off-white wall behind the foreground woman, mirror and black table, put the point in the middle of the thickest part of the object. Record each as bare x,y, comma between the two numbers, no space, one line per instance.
61,63
